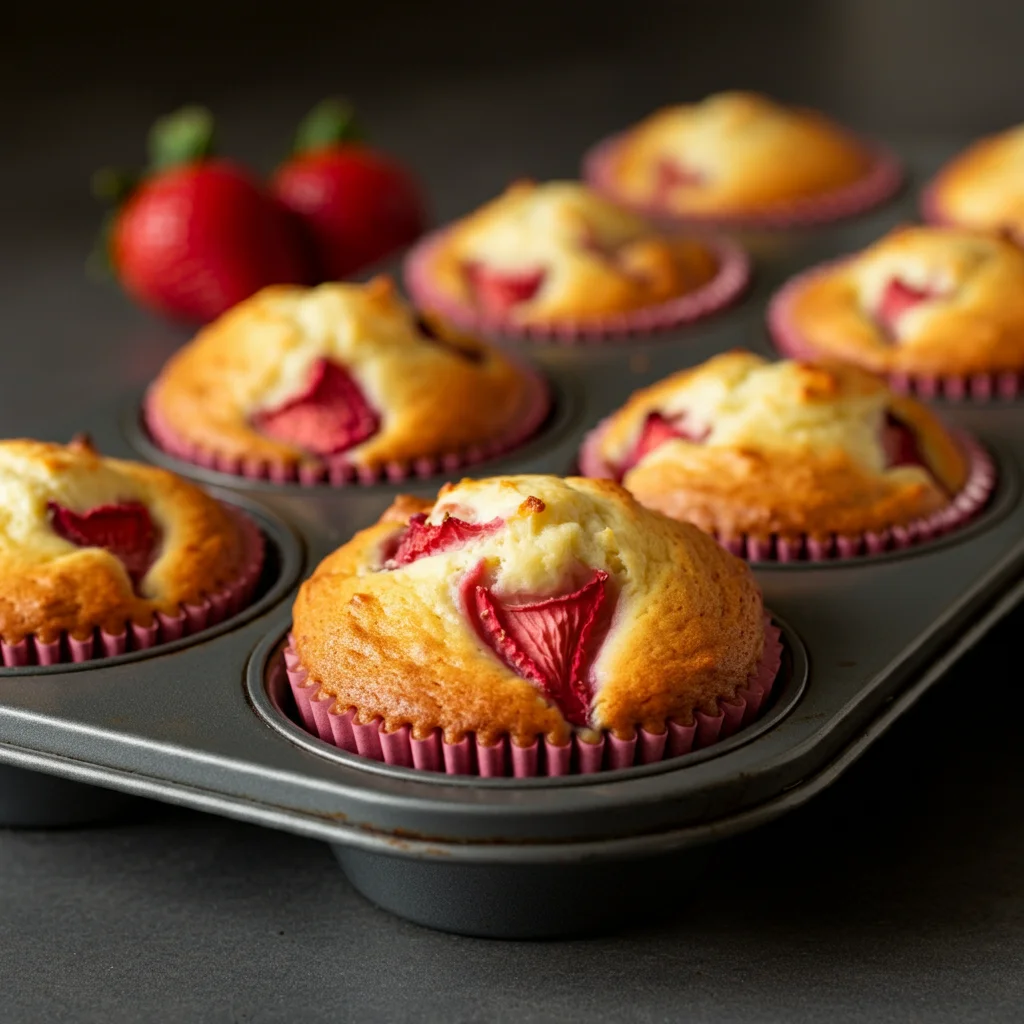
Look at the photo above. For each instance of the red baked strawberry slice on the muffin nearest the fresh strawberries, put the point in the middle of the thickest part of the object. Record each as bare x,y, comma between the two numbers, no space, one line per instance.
330,416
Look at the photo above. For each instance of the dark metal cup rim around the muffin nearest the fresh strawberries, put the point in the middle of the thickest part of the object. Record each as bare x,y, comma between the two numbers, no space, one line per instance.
565,414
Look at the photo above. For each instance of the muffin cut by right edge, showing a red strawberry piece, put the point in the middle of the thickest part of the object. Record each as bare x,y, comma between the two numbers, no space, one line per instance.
922,303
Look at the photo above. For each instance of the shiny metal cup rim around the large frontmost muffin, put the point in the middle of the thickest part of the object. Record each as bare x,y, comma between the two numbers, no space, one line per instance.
271,698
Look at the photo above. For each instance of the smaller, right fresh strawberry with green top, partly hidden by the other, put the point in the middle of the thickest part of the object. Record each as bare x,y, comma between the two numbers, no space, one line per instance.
359,206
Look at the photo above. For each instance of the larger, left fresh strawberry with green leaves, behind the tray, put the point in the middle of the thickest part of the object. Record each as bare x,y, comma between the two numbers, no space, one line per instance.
197,235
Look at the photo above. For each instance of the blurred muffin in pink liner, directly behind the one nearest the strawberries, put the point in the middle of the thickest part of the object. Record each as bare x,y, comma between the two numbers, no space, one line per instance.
559,258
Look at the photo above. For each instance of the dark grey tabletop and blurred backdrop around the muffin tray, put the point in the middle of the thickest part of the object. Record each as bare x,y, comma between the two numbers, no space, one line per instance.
900,895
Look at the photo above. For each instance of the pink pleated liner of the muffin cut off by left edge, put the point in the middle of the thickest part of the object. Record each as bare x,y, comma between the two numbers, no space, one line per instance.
191,619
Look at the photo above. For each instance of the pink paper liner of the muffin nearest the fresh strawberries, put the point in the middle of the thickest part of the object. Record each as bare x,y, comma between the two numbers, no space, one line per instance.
338,471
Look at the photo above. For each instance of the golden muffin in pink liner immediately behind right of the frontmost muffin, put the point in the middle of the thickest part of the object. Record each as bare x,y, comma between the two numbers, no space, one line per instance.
755,452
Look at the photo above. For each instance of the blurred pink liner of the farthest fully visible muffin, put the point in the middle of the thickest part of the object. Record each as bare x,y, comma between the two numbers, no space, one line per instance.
879,185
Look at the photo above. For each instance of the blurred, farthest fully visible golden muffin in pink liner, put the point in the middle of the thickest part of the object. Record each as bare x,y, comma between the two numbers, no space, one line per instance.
740,156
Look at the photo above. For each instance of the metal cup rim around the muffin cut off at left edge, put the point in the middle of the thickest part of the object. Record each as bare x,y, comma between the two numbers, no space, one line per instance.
283,563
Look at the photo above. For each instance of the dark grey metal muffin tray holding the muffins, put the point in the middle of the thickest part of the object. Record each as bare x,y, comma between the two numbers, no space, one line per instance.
206,722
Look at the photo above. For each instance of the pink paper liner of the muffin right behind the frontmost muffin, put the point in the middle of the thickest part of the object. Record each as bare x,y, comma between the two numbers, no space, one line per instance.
971,499
